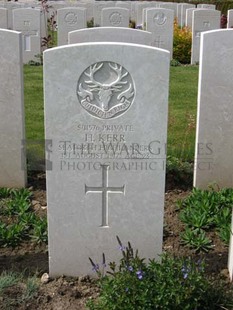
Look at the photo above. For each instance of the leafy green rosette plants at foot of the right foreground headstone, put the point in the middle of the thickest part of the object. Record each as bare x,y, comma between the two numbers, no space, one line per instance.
204,210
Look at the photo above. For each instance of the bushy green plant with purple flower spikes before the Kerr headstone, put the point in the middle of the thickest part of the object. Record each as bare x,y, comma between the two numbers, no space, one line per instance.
172,283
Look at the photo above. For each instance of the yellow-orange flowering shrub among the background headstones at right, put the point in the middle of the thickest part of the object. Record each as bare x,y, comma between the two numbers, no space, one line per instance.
182,43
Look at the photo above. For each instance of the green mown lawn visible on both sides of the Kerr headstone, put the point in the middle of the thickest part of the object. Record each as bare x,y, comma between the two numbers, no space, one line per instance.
182,111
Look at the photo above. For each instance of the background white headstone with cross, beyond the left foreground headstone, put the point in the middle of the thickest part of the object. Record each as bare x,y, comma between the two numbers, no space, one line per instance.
27,21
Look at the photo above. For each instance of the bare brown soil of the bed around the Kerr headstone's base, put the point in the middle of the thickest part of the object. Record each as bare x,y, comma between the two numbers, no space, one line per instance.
72,293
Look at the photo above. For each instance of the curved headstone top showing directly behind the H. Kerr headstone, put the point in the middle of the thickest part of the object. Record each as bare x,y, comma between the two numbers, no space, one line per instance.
110,34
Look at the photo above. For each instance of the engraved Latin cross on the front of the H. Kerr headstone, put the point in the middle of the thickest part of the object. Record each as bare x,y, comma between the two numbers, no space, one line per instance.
105,190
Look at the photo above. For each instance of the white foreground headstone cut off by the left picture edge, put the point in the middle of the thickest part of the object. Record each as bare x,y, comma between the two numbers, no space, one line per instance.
12,132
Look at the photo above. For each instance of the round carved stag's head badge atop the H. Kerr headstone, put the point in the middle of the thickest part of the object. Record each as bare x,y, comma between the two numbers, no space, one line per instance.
106,90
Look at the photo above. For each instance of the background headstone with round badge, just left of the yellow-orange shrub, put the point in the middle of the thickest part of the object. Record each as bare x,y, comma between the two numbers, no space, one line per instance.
159,22
